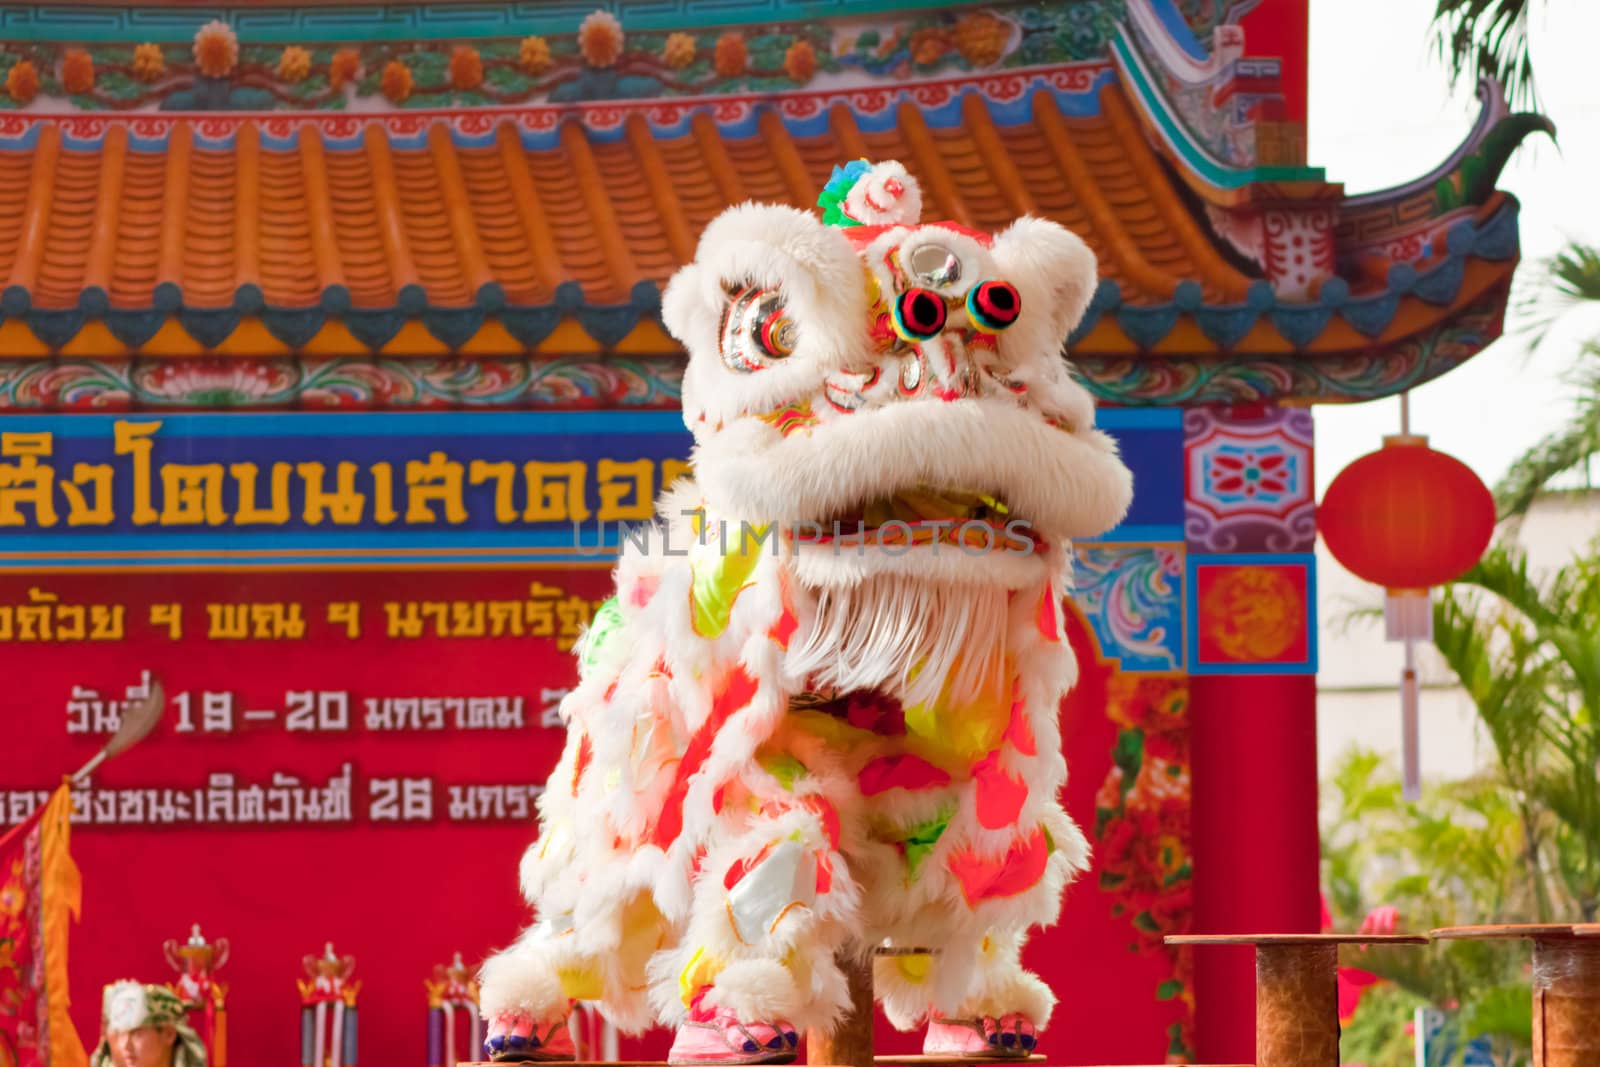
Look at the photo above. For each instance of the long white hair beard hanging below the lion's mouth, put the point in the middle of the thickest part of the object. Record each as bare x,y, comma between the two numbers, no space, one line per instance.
905,637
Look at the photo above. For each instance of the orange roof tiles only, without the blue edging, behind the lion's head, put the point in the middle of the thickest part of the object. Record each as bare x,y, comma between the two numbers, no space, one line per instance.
452,220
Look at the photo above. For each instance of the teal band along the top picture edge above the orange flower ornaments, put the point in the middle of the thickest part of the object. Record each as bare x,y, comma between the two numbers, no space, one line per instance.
426,22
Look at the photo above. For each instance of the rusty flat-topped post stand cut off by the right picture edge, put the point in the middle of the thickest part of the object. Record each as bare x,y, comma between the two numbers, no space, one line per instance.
1566,988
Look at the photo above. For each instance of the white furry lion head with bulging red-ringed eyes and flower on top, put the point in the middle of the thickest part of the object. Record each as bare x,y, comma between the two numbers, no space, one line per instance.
895,394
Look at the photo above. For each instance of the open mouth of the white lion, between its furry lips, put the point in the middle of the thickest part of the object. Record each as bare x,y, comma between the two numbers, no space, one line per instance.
926,516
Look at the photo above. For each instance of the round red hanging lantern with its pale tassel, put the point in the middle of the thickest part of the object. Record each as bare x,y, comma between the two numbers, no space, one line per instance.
1407,518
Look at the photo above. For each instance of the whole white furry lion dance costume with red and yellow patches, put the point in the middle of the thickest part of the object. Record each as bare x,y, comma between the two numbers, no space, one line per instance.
820,716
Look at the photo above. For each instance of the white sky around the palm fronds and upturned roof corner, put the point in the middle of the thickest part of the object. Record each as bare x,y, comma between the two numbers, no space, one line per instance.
1382,116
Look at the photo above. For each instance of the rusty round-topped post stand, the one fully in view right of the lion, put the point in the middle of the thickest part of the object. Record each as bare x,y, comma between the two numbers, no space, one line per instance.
1297,991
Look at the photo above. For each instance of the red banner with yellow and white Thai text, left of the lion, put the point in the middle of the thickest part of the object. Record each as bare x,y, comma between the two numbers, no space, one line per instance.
346,757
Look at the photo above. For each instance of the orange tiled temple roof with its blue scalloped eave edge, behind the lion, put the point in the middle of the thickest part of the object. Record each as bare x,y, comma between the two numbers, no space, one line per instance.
554,230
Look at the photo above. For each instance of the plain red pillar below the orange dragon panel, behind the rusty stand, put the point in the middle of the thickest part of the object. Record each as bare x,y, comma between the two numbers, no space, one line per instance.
1257,852
